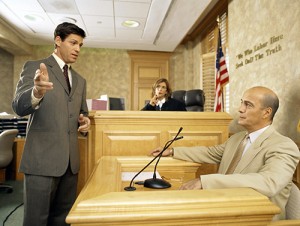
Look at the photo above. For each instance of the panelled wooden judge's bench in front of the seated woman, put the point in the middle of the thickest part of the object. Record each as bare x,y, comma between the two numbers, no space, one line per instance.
136,133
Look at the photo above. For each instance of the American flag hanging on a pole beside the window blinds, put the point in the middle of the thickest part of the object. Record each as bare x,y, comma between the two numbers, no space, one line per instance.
222,77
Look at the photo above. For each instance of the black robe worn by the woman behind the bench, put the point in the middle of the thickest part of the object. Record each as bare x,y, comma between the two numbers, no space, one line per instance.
170,105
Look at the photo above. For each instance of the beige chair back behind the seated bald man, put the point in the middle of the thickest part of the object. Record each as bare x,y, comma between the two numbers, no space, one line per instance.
292,207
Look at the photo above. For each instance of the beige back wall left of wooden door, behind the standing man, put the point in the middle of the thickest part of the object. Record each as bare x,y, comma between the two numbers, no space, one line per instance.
107,71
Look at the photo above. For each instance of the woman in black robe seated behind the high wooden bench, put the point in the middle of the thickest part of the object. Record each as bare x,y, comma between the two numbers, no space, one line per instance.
161,98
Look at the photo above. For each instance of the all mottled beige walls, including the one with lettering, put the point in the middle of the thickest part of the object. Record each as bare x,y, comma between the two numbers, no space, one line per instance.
250,23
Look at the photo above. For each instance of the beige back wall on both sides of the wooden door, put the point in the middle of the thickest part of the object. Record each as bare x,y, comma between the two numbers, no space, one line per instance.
107,71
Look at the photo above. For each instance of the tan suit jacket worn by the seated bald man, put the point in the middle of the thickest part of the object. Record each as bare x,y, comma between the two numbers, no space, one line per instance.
267,166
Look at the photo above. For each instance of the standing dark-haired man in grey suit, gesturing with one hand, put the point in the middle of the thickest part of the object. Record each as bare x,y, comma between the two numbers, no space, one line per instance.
50,159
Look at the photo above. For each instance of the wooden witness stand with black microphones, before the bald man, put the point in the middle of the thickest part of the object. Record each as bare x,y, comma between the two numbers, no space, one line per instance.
103,200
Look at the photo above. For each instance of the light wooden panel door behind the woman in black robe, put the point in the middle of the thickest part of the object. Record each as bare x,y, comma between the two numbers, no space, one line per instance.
146,68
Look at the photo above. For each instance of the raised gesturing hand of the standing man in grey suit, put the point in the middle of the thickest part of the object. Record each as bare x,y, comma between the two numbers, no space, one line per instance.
41,82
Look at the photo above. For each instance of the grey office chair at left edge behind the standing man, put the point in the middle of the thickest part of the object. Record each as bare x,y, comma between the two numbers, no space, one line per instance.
7,138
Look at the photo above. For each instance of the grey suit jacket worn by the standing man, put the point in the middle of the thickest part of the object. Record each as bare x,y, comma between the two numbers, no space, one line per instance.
52,138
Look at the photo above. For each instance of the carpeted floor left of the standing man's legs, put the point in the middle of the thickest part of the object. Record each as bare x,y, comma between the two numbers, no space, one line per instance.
9,202
